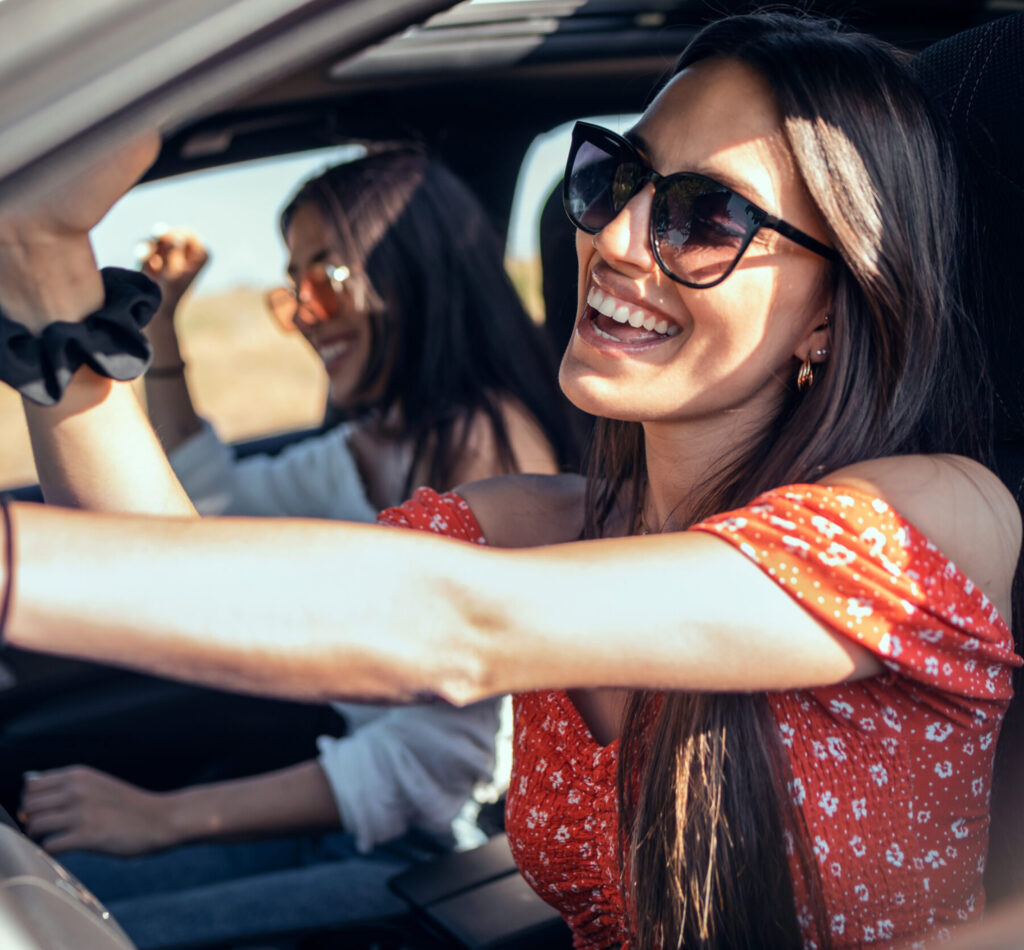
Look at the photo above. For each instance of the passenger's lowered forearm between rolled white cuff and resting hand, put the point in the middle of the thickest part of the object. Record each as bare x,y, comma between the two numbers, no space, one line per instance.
297,799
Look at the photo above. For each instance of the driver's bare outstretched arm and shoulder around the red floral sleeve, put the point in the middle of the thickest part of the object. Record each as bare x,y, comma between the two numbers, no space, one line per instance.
253,607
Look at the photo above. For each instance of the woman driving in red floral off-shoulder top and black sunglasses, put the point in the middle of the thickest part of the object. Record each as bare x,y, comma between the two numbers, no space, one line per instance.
769,723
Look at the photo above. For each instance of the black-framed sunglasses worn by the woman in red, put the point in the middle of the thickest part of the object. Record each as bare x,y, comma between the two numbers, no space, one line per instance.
700,228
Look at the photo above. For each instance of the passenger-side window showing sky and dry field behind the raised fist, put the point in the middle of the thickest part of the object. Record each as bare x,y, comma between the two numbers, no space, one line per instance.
247,376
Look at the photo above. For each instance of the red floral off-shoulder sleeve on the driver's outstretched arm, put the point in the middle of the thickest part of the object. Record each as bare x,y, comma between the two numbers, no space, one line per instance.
865,572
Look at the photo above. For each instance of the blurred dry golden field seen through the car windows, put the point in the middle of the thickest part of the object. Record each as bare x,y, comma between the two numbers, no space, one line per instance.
247,376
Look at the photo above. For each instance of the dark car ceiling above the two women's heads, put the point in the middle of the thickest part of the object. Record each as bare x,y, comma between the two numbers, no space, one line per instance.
478,83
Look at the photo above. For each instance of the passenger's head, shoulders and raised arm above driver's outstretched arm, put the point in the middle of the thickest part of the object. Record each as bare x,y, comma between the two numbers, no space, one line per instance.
393,267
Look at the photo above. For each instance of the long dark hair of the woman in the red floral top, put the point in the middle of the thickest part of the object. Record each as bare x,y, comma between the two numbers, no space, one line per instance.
704,809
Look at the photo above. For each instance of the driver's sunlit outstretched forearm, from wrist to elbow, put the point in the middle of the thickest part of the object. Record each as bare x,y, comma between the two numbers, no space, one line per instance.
245,604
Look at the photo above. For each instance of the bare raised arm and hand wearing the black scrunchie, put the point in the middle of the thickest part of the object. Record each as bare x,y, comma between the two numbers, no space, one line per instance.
96,449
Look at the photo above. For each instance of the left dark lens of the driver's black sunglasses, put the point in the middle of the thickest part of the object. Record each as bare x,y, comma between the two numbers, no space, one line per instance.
600,181
